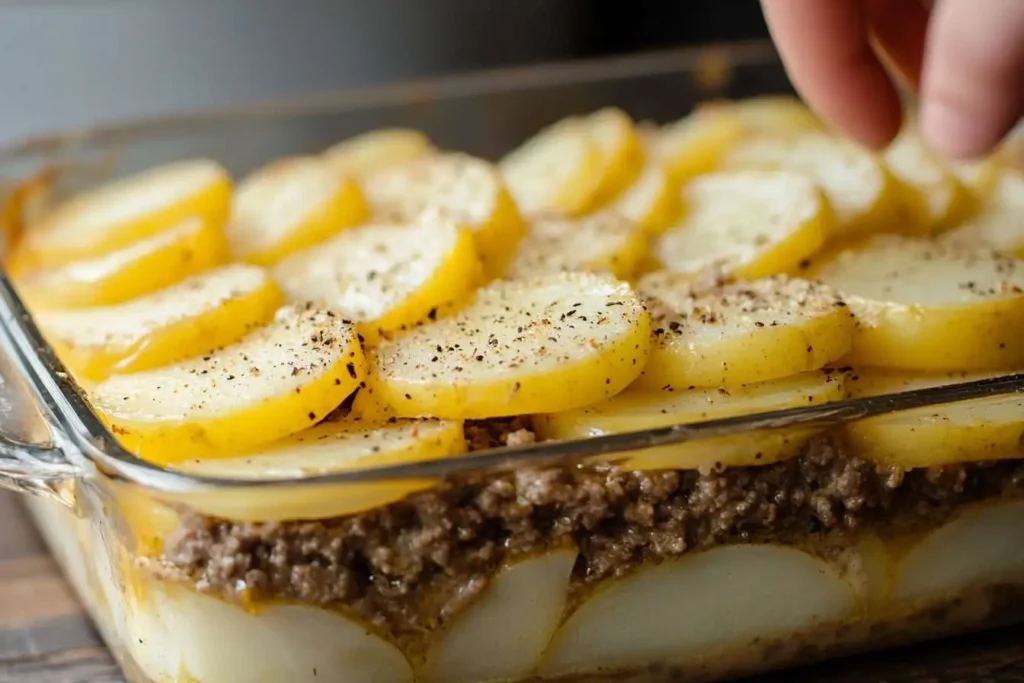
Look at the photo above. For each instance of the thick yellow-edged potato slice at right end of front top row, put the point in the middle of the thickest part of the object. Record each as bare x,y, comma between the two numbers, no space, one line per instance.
927,307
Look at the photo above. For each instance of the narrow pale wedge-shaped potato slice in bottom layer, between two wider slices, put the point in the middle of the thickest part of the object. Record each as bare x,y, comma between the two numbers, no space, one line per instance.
503,635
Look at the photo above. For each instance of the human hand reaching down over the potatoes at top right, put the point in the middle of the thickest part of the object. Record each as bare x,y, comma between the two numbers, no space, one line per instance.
964,58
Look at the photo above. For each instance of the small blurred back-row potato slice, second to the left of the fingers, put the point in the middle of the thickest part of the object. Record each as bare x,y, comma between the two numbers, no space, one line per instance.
695,145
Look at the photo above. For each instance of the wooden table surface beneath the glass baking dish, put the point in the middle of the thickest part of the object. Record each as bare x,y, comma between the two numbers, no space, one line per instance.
47,638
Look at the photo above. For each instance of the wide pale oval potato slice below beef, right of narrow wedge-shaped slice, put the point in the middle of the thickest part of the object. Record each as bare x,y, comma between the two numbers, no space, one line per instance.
709,603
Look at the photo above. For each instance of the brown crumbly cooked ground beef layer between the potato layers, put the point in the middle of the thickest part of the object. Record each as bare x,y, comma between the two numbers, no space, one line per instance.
409,567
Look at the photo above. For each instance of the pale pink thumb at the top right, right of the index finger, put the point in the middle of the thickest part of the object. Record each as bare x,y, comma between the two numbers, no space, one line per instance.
972,91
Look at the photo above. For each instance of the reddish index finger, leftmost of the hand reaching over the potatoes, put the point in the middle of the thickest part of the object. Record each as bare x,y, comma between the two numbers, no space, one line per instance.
827,52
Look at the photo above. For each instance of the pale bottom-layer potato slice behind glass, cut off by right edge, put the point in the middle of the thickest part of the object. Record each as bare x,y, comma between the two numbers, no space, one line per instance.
982,547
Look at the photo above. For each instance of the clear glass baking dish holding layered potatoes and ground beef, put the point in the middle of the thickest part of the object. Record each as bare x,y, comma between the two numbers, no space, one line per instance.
522,564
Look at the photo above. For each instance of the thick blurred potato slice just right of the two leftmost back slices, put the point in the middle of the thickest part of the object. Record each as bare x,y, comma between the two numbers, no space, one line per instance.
291,205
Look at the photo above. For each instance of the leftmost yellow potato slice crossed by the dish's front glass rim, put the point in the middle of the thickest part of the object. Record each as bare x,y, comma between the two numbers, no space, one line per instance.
328,448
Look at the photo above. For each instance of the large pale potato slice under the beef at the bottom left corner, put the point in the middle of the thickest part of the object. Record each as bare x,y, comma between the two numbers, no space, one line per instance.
178,634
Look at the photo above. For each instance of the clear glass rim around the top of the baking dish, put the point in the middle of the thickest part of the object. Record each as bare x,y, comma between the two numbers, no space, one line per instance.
68,407
